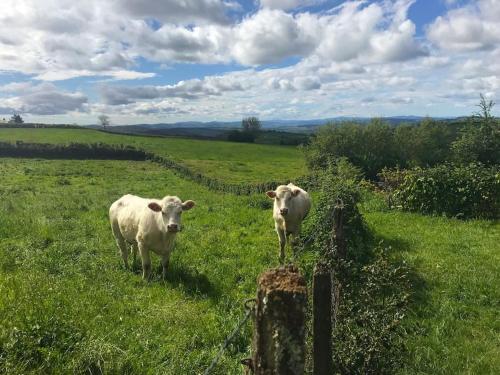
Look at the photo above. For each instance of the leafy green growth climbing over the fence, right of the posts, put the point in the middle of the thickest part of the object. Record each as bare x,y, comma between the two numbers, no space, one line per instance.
368,336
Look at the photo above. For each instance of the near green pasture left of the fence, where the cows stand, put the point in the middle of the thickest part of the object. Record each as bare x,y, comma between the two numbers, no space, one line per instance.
60,273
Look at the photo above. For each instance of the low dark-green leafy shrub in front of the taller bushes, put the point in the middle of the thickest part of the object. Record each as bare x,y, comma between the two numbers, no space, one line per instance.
468,191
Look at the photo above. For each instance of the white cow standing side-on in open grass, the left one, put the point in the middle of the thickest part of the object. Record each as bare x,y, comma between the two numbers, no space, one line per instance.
147,224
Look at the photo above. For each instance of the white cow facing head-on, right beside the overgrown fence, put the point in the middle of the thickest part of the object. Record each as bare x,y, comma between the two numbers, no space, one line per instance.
291,206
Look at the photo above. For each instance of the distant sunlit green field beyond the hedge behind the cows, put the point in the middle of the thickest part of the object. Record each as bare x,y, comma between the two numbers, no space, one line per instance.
233,162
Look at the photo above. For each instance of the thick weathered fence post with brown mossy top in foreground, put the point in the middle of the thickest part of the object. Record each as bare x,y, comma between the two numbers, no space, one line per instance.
280,329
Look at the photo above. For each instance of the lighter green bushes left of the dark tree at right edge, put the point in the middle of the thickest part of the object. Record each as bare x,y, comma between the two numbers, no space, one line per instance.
378,145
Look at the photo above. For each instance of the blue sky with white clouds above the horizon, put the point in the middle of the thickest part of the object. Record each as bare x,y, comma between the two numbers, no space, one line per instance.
178,60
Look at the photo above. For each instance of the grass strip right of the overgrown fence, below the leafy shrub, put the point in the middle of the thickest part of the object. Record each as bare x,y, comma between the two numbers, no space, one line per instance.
454,324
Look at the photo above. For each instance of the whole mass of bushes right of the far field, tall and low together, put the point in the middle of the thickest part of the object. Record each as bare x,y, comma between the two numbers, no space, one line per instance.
448,168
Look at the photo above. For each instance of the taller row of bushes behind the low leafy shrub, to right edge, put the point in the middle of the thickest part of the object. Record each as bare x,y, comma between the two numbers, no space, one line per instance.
379,145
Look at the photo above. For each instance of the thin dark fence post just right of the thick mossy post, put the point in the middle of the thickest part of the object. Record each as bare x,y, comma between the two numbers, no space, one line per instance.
322,320
